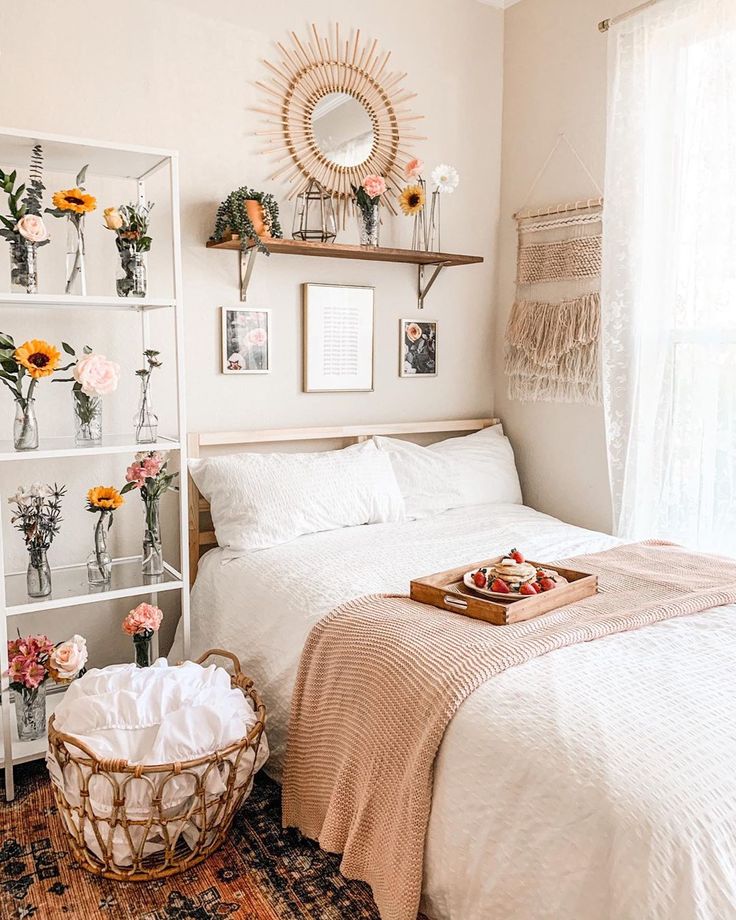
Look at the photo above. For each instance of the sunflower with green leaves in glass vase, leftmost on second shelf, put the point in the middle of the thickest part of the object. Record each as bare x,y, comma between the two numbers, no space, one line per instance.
31,362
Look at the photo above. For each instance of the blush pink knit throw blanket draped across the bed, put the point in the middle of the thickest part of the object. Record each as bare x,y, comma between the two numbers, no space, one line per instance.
381,677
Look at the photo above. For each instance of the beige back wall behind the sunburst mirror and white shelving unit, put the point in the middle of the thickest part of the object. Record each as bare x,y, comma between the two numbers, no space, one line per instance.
179,74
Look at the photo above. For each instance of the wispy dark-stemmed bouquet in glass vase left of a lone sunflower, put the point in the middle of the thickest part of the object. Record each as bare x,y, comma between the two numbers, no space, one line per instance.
37,515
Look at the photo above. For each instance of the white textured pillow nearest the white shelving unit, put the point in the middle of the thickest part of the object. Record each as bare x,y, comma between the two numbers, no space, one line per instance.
261,500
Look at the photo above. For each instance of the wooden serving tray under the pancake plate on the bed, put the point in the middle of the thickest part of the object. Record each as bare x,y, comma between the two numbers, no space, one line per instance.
446,590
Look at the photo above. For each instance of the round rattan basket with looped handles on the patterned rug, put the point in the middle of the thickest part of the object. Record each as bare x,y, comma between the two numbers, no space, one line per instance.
209,815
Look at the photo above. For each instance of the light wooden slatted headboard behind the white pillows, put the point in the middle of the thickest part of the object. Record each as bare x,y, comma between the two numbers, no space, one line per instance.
201,532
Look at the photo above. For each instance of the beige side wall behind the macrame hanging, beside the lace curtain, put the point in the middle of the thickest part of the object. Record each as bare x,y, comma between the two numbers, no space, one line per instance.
554,80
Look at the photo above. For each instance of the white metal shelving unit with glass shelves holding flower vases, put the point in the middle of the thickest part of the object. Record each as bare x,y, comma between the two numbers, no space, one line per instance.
70,588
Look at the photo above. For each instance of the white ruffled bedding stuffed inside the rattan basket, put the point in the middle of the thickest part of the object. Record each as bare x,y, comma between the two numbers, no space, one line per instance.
155,715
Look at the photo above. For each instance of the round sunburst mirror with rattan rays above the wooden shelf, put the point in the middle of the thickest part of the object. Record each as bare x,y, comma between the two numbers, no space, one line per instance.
336,114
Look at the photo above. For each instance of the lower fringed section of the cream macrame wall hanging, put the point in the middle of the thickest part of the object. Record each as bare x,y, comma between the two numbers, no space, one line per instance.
552,350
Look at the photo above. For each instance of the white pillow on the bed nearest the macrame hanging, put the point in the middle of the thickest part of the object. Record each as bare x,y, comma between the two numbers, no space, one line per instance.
476,469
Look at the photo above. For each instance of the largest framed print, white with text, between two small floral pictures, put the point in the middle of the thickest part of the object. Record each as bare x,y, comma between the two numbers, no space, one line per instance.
338,338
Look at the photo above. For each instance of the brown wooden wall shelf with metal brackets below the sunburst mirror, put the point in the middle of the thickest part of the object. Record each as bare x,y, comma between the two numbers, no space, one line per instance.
437,260
